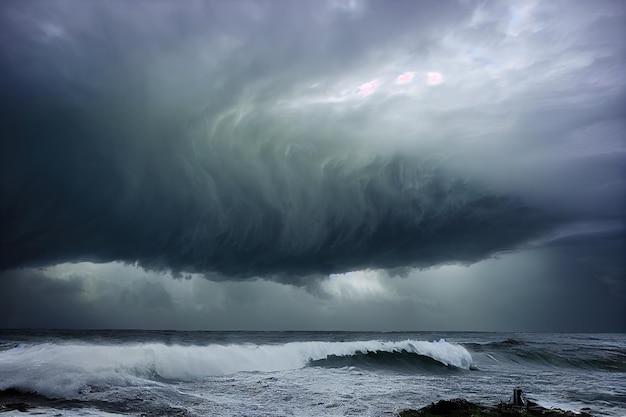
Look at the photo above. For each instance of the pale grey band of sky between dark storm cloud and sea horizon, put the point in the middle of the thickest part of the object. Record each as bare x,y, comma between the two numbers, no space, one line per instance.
565,288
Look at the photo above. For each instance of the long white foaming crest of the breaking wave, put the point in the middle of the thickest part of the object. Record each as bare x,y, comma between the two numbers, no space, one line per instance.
66,369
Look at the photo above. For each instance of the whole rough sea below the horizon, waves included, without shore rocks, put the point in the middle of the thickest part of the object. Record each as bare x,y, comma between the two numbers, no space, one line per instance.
305,373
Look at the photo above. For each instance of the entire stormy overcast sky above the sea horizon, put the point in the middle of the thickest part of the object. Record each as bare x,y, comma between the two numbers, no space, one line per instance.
344,164
